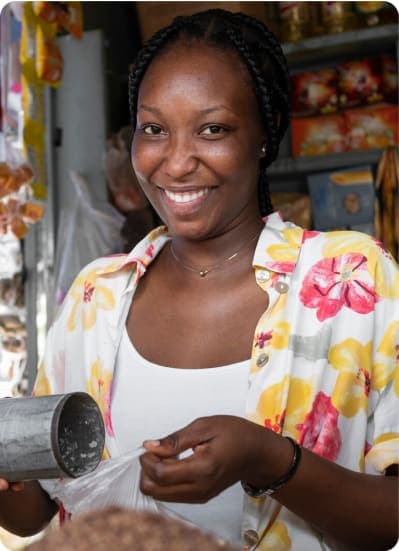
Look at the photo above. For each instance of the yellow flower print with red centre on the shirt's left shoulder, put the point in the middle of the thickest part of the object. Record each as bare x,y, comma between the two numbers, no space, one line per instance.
88,295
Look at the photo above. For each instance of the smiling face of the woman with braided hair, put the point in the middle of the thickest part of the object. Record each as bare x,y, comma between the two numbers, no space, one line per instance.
198,140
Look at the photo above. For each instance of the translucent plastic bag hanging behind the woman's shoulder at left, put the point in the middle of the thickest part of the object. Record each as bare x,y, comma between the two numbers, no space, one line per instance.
86,232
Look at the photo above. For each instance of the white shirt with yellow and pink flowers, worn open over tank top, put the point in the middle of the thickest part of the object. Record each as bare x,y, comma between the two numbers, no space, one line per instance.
325,354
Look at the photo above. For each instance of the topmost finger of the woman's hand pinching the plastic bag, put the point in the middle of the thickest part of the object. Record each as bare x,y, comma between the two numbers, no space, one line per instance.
196,433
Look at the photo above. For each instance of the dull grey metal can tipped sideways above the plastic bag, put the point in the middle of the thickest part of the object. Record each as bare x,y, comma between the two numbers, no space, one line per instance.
50,436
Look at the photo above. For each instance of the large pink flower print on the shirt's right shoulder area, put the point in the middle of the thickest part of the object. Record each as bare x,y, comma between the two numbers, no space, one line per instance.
336,282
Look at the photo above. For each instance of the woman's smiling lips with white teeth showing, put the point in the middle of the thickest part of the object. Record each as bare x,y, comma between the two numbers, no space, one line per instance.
184,201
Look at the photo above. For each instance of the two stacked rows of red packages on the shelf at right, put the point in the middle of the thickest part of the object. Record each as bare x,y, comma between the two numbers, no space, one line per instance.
350,107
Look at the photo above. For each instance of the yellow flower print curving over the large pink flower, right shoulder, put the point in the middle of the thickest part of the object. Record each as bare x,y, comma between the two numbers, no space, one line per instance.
378,260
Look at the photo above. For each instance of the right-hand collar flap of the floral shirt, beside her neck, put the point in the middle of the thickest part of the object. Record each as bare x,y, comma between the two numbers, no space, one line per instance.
278,246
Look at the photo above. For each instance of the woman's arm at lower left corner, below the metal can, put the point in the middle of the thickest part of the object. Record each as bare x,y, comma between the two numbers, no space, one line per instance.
25,508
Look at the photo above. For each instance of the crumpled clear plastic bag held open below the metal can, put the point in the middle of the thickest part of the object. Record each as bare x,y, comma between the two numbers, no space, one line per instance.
114,482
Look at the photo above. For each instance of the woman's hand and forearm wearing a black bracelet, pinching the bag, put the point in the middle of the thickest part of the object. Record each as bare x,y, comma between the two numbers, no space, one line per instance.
355,509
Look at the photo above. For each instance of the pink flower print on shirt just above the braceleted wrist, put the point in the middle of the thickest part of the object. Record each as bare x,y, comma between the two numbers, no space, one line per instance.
319,432
